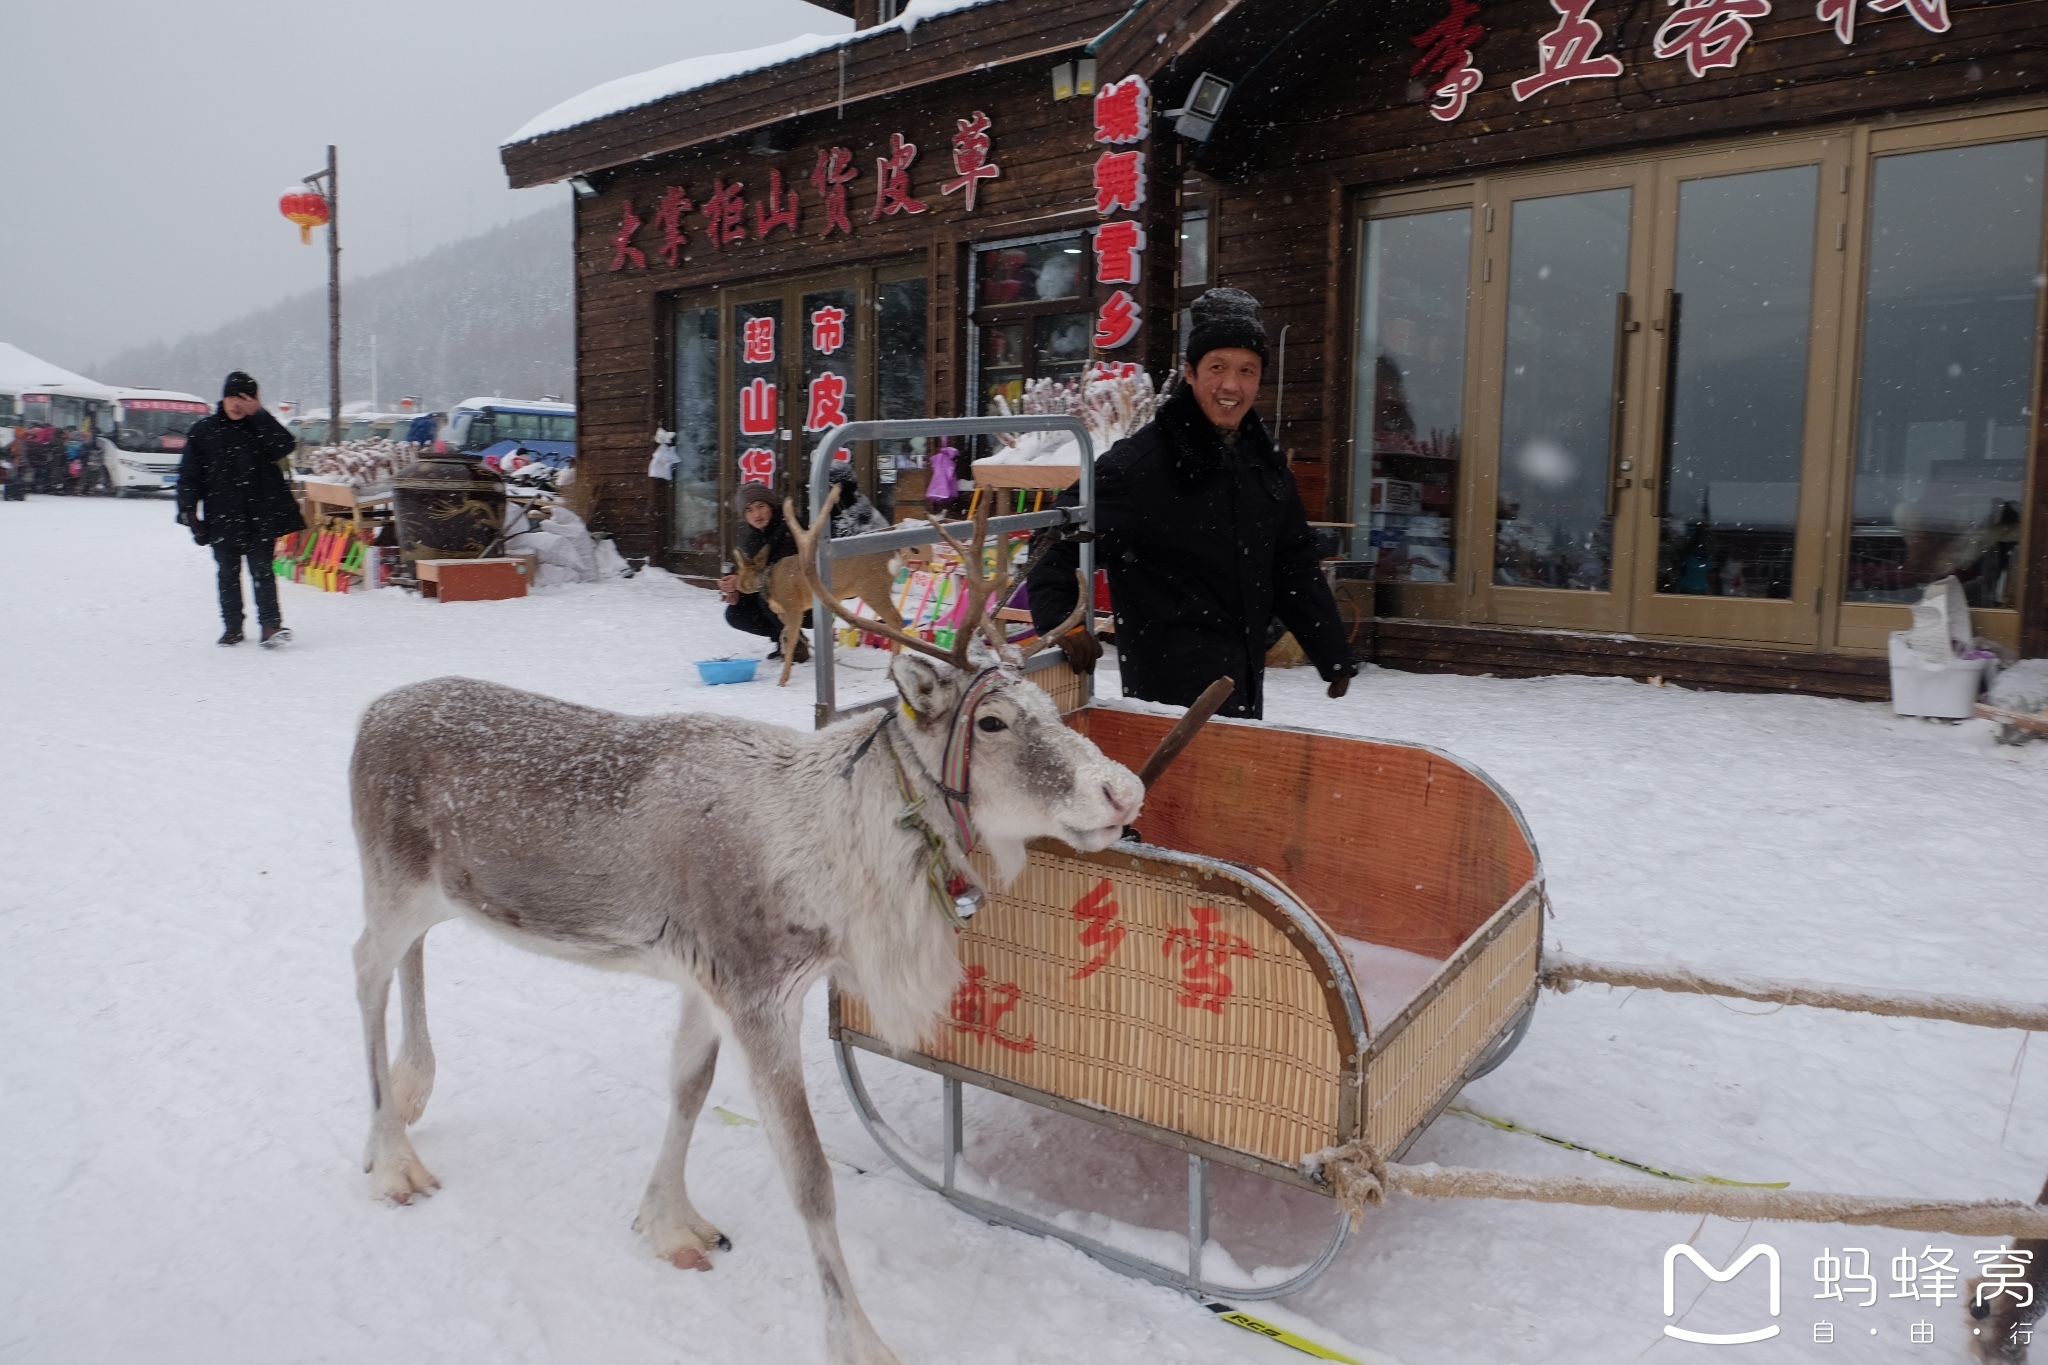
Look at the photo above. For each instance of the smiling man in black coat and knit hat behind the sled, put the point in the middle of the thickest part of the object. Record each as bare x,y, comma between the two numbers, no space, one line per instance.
1203,535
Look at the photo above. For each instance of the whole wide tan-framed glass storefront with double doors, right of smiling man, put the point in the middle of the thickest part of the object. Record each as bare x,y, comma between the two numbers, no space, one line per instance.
1758,394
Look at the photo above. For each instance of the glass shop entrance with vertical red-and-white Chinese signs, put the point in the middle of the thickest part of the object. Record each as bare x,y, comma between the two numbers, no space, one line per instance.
761,371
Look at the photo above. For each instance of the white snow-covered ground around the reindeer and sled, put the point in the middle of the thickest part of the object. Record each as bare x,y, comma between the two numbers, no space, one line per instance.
183,1102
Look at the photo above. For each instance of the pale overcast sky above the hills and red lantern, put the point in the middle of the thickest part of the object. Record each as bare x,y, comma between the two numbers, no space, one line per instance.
146,142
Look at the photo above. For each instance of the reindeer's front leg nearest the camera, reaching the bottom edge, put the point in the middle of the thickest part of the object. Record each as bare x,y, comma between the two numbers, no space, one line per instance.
769,1034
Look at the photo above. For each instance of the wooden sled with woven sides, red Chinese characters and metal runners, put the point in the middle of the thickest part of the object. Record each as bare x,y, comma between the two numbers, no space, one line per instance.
1220,987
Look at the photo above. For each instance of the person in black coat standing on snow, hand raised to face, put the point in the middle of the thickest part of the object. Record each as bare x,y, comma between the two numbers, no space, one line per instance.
234,496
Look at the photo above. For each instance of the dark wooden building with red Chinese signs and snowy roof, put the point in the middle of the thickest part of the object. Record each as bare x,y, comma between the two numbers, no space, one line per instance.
1639,339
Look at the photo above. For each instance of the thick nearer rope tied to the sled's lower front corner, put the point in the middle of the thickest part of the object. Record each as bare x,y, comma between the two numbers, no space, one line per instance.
1361,1180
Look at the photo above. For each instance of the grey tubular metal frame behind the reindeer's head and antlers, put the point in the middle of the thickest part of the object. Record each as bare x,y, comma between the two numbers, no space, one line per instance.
824,623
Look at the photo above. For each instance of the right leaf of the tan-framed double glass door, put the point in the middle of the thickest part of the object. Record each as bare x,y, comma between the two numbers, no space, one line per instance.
1727,476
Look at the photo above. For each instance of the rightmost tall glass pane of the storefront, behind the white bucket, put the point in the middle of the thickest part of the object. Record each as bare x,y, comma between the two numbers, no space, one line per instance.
1947,400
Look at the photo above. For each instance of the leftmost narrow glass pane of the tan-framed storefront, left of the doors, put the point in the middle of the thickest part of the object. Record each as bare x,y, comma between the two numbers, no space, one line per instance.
1410,392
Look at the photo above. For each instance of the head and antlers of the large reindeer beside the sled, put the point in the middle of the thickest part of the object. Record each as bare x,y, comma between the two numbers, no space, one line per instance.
978,723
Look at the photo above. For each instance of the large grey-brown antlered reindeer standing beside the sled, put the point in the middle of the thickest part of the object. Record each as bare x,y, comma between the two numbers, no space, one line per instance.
740,861
